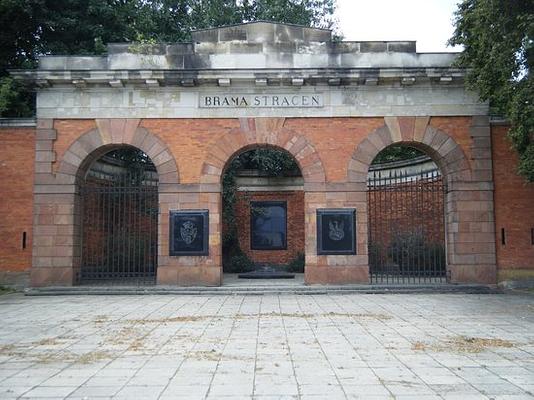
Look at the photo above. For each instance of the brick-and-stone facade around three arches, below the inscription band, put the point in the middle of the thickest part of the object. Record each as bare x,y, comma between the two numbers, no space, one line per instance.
333,154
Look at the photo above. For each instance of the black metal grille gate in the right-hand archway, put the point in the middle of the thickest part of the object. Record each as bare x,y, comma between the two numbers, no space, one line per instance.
406,227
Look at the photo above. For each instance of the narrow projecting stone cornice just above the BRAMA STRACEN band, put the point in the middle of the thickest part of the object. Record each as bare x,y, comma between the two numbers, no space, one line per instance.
251,77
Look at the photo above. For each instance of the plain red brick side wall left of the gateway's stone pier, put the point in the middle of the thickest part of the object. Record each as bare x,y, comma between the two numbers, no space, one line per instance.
17,146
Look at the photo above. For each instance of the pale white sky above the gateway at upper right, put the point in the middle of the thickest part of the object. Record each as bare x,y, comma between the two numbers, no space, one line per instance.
429,22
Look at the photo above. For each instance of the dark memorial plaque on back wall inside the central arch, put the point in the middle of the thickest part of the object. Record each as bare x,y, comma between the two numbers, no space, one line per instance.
268,225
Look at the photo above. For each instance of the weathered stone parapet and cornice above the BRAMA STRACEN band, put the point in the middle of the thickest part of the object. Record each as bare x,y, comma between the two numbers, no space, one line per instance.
258,53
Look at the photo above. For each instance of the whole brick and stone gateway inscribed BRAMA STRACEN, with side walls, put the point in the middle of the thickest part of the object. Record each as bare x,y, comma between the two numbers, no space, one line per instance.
191,107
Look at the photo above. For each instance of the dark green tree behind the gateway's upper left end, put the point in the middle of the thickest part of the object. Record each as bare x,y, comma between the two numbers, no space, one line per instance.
30,28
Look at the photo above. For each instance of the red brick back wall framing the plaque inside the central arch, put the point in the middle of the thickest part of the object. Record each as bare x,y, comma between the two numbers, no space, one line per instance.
295,225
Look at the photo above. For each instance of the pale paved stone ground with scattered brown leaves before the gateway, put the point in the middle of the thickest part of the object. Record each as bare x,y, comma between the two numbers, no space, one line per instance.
437,346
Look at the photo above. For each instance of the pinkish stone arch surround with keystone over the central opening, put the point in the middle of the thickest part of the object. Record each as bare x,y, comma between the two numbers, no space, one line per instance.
263,132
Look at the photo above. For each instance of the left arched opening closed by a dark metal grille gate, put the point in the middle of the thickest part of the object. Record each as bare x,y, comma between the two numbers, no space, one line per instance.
119,218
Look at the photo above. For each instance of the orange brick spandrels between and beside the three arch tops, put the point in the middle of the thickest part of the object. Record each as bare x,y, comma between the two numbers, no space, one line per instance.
191,139
